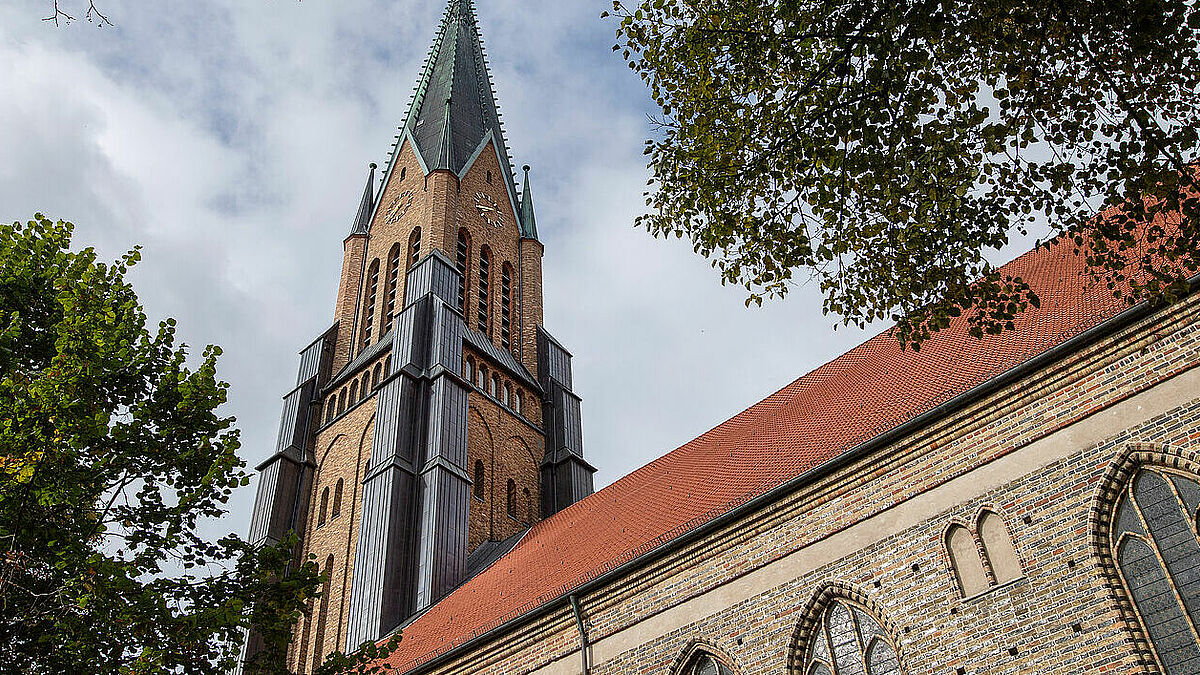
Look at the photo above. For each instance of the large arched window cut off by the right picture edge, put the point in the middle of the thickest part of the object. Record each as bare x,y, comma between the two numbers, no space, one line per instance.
1157,554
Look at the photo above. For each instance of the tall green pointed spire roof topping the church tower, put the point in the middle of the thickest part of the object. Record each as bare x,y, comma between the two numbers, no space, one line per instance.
454,109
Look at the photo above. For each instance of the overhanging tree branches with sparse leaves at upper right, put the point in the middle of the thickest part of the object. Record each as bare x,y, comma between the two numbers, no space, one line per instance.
883,148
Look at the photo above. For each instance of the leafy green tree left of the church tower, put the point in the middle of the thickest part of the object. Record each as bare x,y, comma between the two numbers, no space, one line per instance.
112,450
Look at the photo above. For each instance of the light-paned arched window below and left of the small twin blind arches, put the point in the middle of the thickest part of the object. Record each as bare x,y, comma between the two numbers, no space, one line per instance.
848,640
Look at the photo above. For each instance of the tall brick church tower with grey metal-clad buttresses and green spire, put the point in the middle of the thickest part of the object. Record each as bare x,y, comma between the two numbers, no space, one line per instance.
435,422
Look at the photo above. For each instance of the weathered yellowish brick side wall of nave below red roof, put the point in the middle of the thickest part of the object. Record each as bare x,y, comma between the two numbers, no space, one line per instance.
841,534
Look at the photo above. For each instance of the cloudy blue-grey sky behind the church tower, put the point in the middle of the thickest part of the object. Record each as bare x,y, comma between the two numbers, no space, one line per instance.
231,139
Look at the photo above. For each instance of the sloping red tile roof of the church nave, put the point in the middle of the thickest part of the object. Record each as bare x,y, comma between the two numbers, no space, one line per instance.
848,402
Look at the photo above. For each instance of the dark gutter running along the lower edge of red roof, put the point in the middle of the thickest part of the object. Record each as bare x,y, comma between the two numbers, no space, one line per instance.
1079,342
